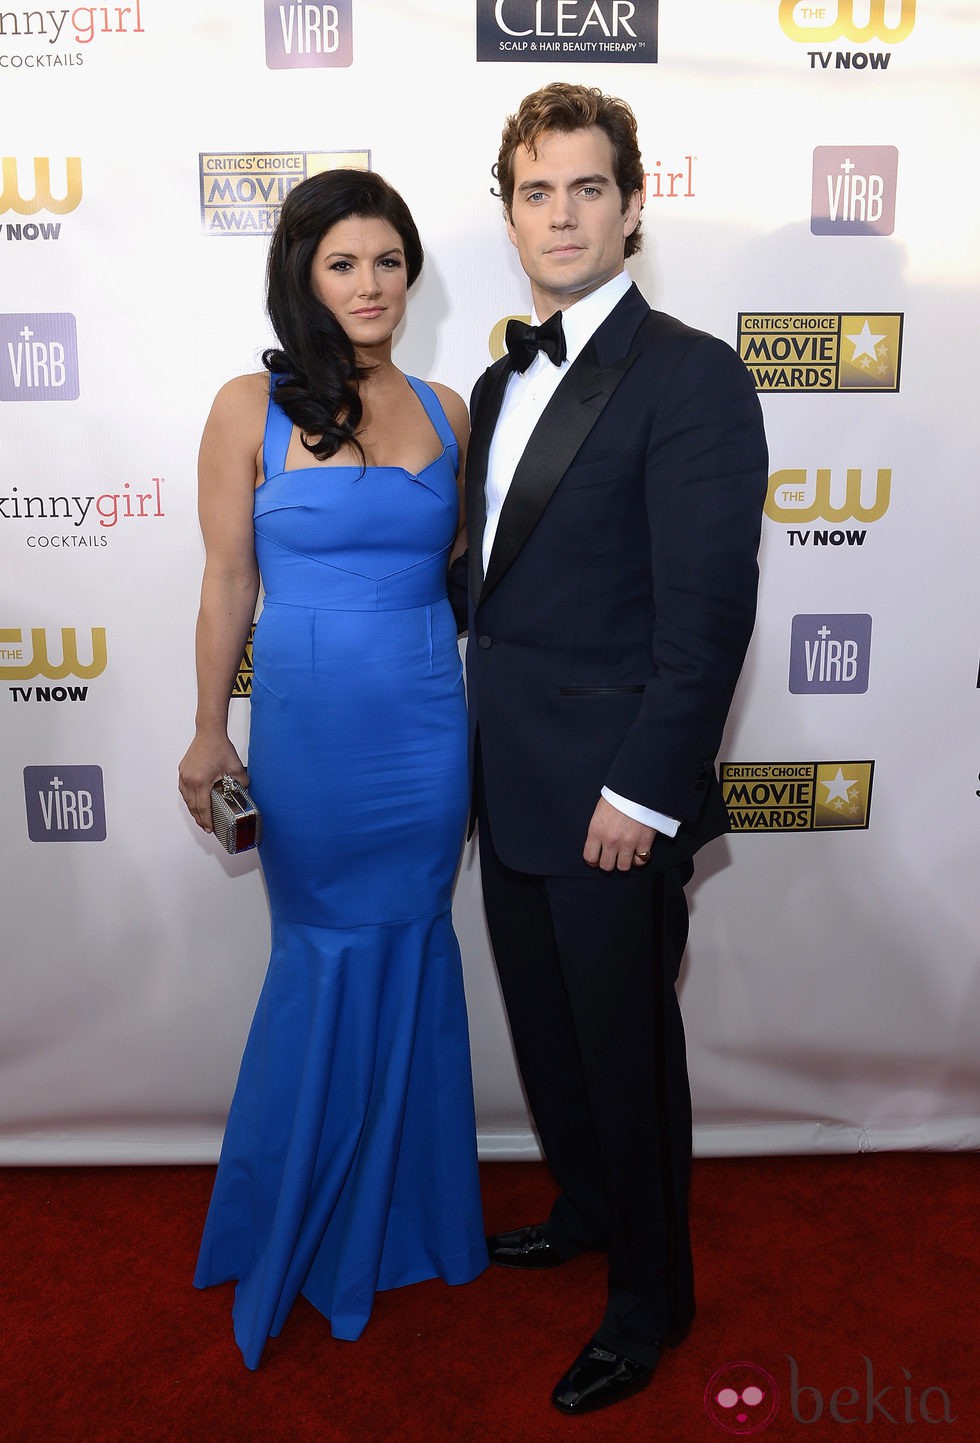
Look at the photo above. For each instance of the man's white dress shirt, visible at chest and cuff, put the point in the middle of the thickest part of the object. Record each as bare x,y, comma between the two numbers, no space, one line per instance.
525,402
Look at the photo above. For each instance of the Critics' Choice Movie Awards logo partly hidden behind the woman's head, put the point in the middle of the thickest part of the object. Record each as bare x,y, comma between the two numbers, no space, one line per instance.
242,193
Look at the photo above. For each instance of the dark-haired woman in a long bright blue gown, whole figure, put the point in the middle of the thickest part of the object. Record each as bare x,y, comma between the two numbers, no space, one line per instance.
349,1162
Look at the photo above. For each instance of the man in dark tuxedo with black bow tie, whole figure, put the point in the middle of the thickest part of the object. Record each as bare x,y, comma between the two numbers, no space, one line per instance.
616,490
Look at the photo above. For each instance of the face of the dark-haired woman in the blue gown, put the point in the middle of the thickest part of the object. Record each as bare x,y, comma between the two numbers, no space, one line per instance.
360,275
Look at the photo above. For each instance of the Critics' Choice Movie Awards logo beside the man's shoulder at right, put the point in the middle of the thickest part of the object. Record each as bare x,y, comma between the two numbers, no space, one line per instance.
842,351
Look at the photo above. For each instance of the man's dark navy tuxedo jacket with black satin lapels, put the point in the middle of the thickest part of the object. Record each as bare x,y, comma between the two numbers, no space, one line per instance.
607,637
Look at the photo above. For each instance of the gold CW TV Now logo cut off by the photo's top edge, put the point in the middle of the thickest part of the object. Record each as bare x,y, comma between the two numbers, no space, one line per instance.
854,21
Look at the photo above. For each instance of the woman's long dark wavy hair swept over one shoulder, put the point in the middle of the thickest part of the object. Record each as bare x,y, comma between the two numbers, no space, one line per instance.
315,367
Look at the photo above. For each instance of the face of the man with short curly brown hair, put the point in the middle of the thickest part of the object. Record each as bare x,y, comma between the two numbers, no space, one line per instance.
568,220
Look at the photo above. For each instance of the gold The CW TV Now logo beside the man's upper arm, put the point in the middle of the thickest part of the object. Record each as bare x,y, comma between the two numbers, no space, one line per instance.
796,497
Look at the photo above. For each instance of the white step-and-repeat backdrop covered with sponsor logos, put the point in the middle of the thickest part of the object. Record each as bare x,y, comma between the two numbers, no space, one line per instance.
812,198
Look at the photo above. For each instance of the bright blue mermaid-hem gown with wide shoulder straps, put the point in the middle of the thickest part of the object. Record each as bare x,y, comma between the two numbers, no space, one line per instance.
349,1162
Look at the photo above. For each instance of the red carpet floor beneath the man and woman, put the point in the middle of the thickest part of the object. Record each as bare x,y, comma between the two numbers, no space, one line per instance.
849,1284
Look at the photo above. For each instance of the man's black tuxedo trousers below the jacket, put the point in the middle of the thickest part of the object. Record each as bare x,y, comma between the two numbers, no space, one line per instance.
588,968
